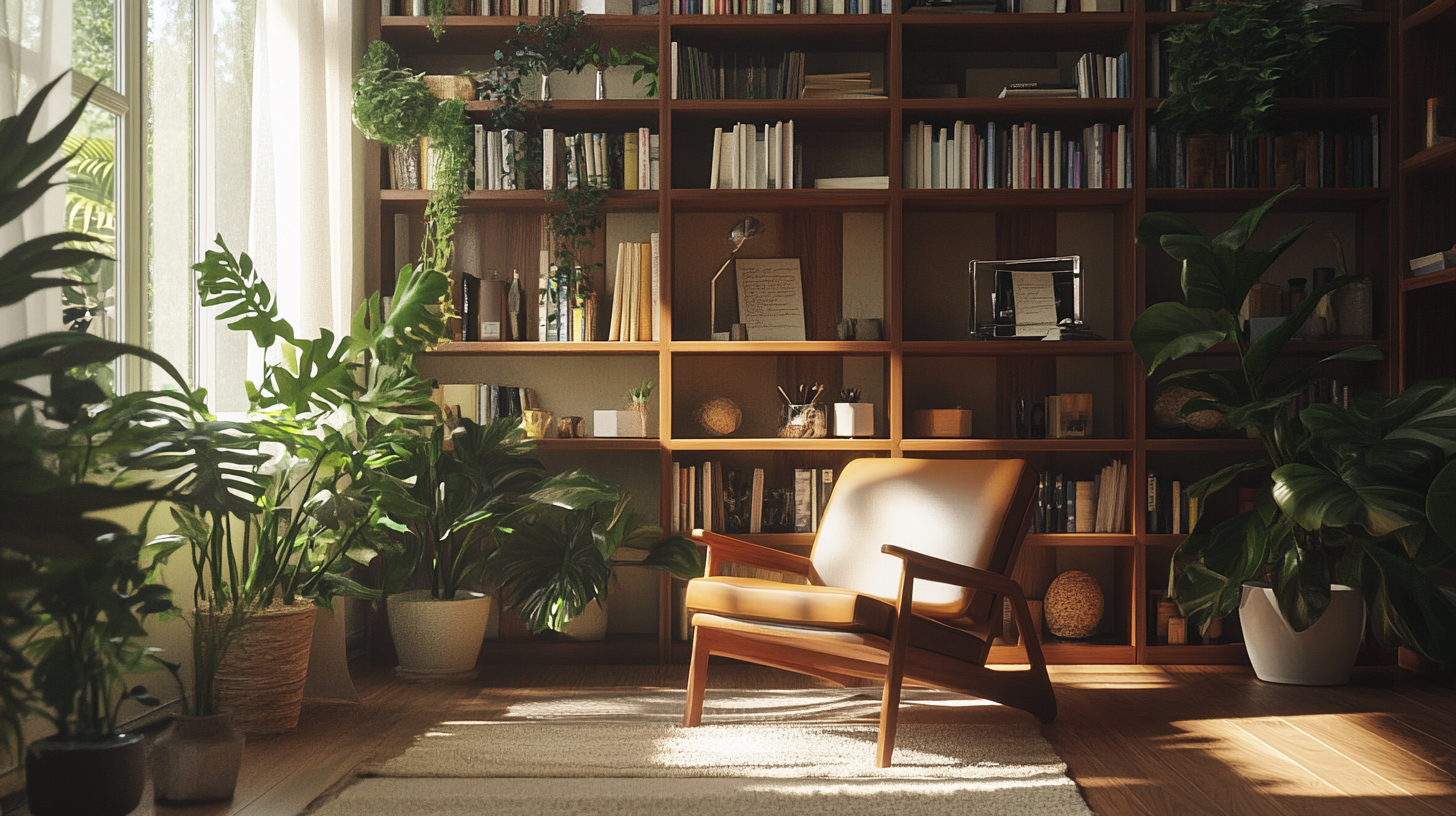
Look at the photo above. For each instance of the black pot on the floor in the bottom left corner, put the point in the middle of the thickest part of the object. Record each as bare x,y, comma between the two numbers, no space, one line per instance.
85,779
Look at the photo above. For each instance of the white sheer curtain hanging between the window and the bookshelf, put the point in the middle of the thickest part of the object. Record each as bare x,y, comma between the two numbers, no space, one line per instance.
306,224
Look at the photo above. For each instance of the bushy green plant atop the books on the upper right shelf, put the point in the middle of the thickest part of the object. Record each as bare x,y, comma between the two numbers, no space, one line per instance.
1228,71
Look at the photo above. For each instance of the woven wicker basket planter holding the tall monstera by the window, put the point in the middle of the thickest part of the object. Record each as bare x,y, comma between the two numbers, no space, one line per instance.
261,680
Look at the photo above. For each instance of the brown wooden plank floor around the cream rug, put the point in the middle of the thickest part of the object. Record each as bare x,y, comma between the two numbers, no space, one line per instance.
1157,741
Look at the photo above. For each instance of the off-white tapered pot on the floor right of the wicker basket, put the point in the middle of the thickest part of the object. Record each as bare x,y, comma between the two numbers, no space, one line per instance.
438,637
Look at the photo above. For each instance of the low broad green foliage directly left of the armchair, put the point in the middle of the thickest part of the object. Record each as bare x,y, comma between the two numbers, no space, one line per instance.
554,559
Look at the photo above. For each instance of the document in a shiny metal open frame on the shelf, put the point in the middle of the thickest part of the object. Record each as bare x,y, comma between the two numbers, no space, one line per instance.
1027,299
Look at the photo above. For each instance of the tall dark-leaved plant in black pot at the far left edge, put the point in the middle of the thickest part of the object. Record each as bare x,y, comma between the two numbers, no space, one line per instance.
72,597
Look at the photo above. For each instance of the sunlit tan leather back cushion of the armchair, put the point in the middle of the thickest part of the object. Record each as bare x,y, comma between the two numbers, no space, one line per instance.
941,508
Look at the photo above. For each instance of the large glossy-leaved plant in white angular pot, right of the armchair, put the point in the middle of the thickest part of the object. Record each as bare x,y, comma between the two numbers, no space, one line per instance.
1353,506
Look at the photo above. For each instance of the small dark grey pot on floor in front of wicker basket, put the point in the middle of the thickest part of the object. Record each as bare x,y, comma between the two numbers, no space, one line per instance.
197,760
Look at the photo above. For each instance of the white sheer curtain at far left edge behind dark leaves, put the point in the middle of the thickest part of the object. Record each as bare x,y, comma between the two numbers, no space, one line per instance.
36,49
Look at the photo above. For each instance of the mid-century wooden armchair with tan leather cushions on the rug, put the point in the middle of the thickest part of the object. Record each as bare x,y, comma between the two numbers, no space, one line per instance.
906,578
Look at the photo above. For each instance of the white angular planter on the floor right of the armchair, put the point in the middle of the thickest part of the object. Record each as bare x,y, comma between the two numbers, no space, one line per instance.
1320,656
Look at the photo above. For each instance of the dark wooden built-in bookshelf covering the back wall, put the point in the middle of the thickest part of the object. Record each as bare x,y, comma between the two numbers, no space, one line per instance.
906,254
